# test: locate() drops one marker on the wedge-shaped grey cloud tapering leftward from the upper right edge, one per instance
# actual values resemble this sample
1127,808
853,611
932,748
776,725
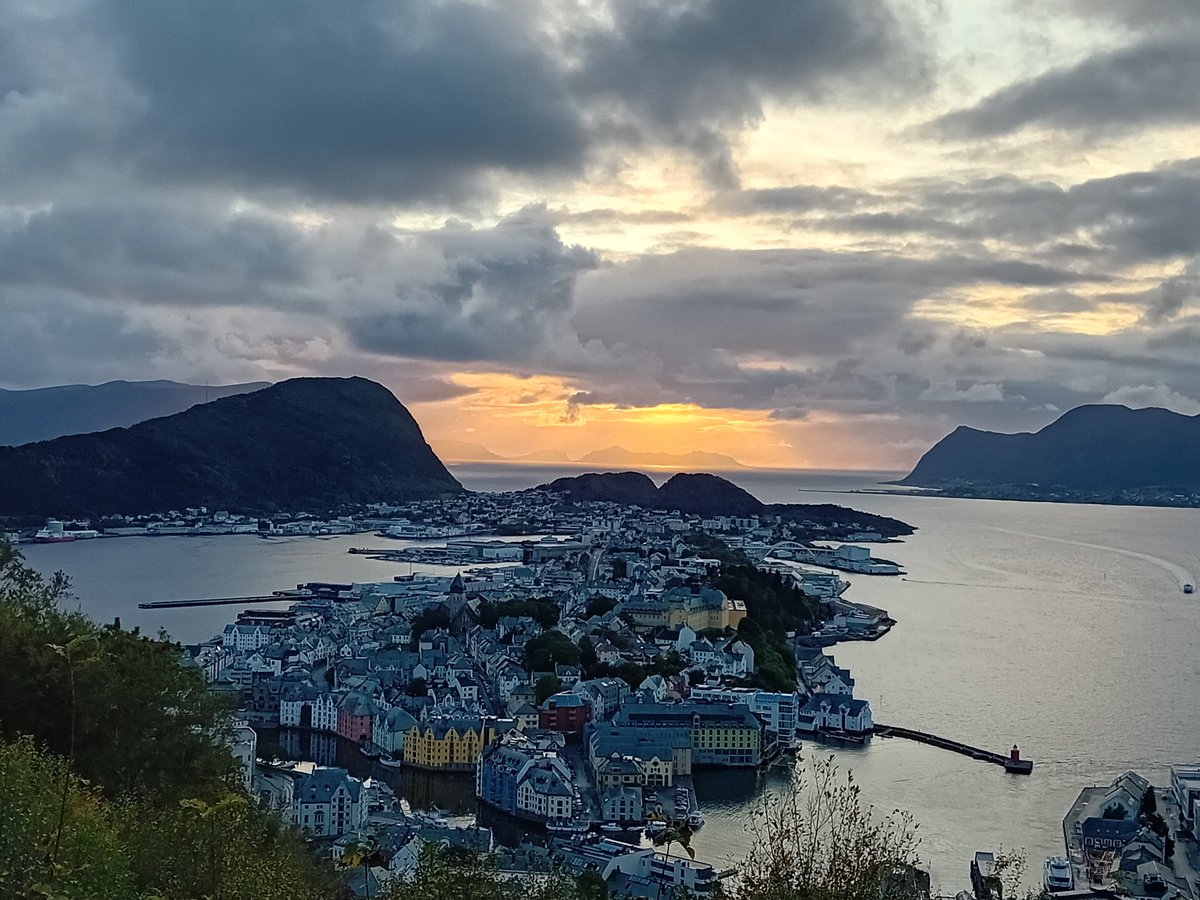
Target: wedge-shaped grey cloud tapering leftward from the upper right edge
1148,82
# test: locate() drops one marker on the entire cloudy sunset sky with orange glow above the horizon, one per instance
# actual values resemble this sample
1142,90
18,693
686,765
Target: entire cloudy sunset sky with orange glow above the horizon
803,233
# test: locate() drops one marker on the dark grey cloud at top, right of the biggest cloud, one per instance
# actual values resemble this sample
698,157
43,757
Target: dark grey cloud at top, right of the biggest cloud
686,73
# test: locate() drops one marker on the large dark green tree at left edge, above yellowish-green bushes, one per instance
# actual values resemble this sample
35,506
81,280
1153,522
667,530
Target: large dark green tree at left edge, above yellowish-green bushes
121,706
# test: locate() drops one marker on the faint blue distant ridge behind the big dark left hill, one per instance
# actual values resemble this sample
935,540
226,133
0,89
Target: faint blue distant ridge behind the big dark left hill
49,413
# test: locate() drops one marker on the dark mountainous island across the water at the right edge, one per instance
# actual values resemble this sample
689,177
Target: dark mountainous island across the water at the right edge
1093,454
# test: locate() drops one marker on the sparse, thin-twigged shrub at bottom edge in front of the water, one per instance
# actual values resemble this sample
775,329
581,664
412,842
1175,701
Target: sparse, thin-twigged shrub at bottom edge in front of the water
818,842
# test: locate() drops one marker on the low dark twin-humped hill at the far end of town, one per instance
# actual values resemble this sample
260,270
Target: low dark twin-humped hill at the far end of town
709,495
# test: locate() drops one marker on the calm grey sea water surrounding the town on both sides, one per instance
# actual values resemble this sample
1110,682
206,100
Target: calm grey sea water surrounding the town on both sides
1061,628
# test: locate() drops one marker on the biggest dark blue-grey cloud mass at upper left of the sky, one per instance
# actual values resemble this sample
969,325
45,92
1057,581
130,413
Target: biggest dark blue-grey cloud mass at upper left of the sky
359,101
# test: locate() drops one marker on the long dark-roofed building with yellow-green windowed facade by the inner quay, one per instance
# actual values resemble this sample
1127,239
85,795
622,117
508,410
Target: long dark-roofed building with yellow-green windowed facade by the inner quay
722,734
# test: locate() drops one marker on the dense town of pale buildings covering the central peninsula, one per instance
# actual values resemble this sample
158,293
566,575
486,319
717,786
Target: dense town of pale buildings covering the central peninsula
579,675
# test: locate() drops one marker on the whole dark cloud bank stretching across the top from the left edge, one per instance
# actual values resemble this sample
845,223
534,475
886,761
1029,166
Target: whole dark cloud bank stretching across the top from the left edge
412,103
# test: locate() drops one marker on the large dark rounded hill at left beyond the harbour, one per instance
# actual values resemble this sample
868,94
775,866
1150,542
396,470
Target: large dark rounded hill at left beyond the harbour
307,443
